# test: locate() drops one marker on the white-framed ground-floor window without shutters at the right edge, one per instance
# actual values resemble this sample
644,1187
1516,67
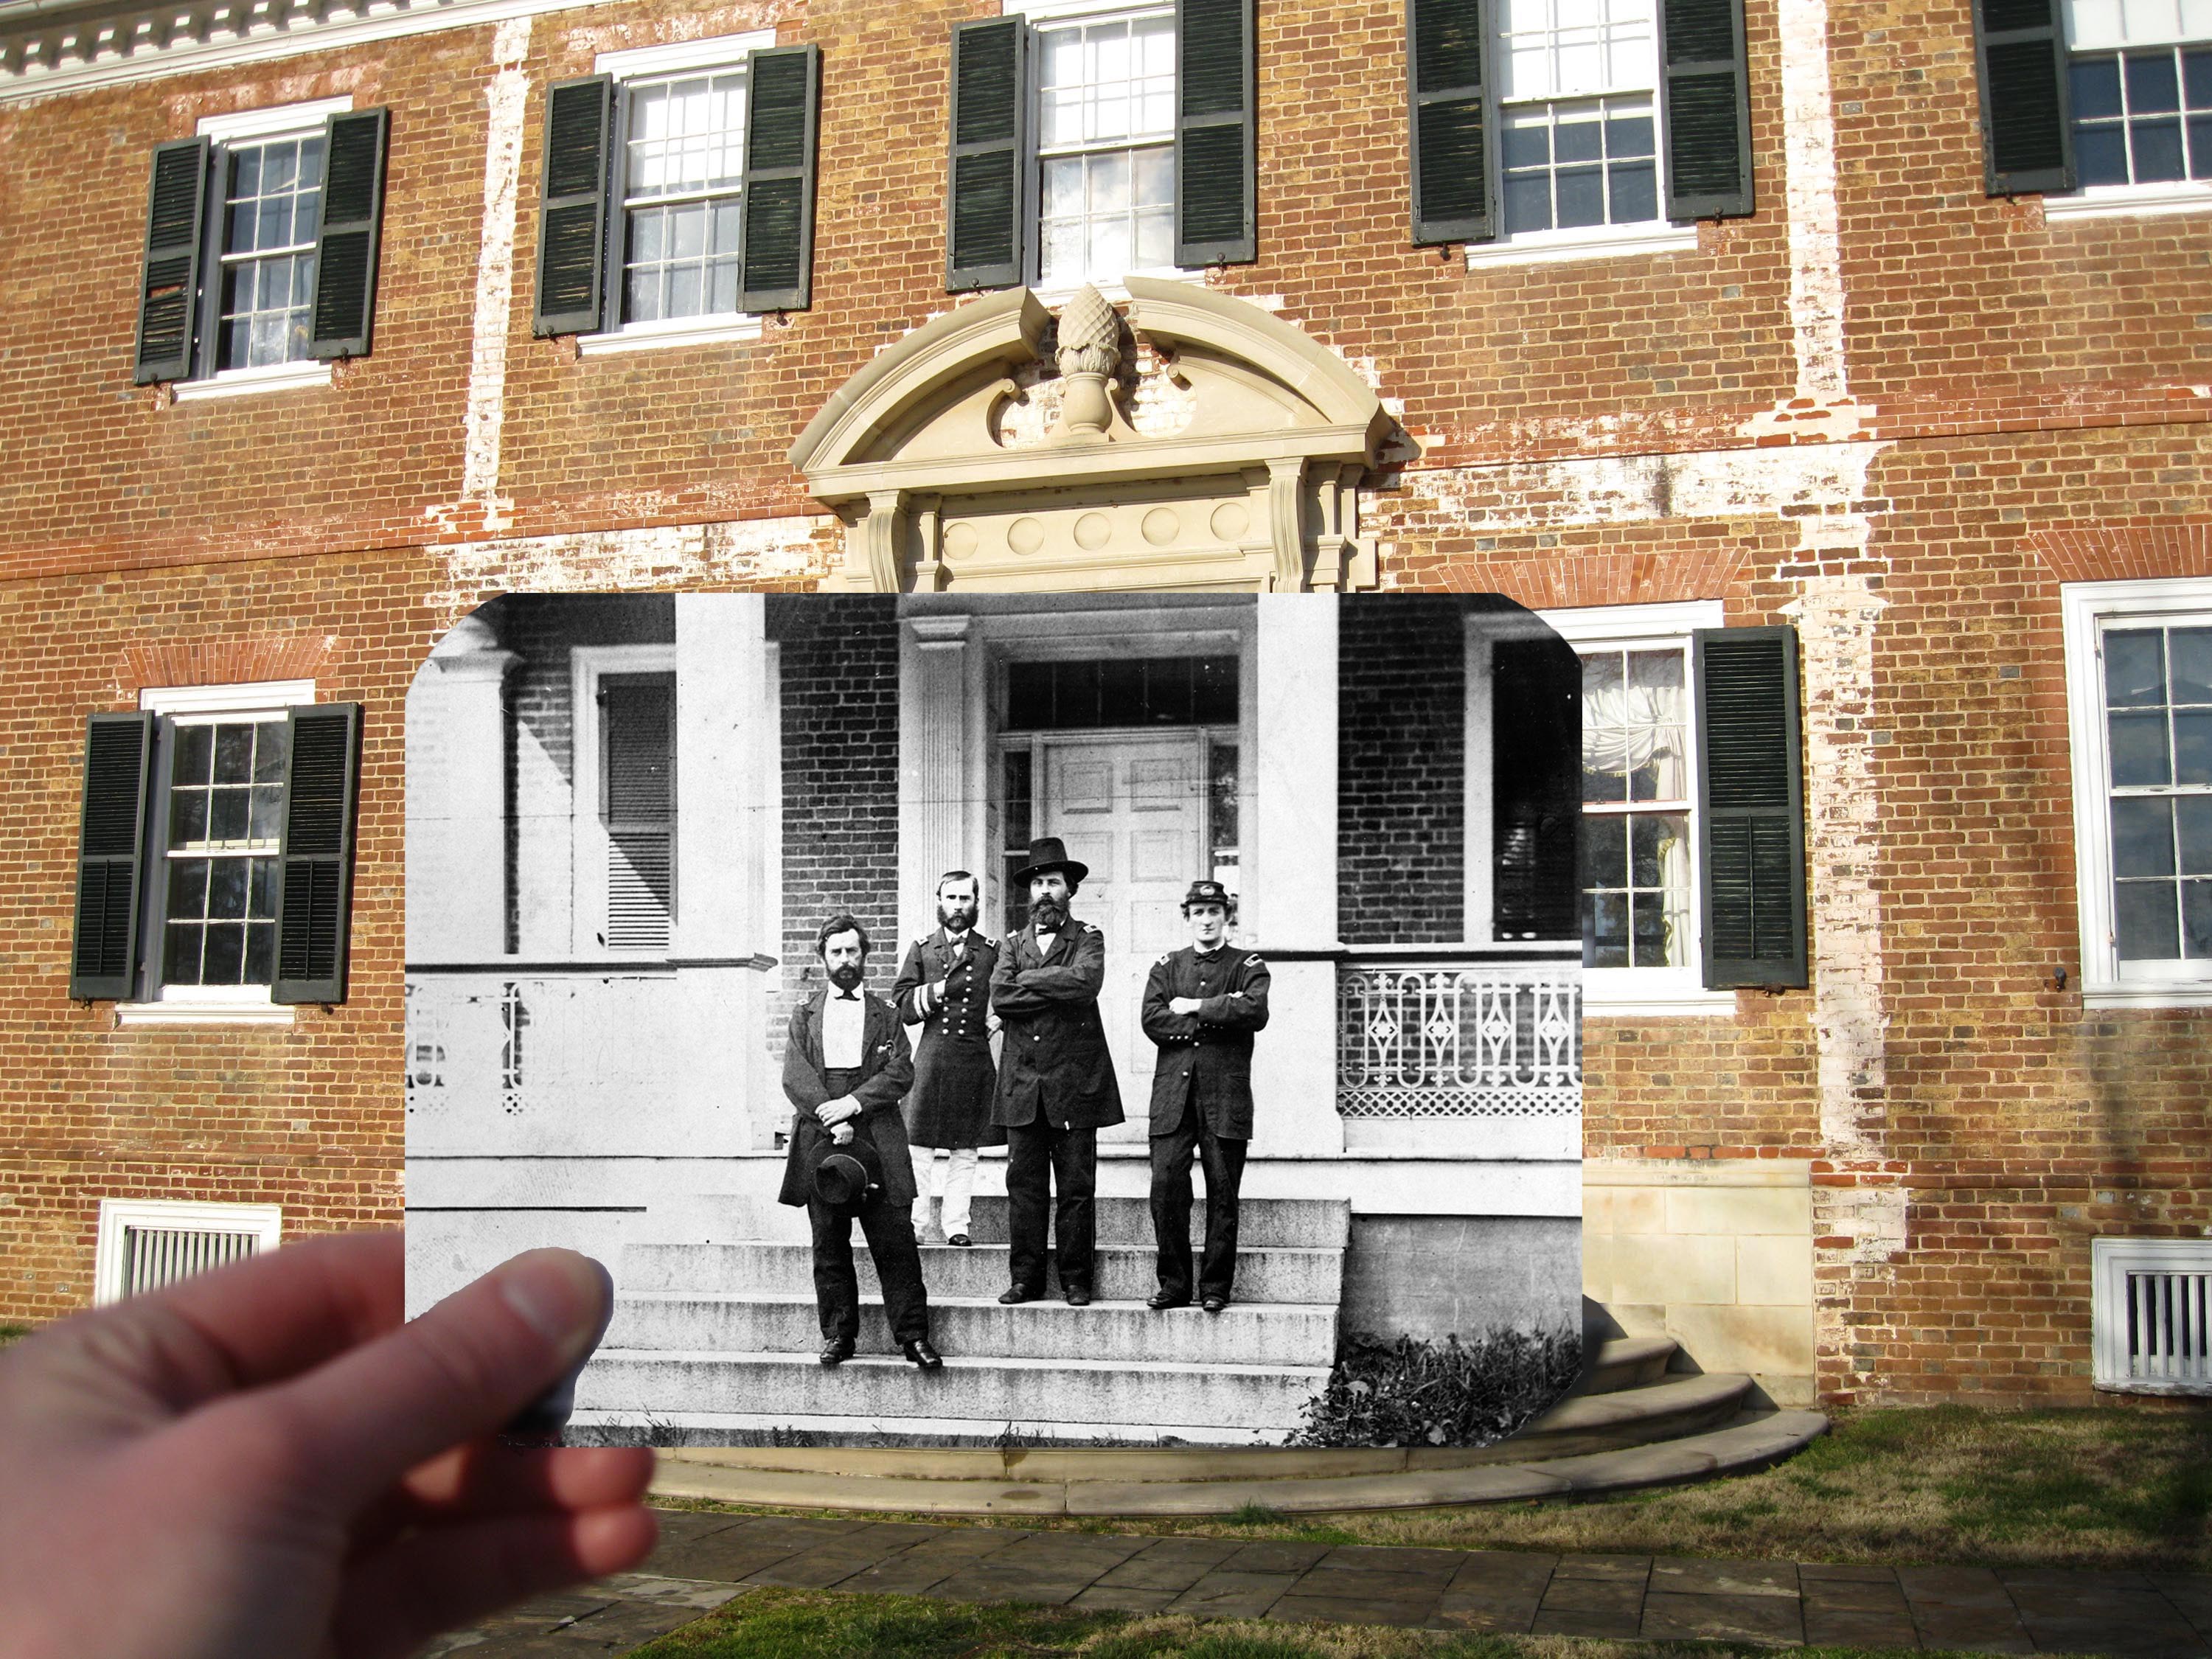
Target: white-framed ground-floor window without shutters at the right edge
2140,713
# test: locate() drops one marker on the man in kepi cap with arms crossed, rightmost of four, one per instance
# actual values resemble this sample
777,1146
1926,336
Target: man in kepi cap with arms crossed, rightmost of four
1202,1008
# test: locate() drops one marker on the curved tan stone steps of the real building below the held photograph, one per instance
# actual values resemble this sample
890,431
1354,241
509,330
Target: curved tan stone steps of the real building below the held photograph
1631,1426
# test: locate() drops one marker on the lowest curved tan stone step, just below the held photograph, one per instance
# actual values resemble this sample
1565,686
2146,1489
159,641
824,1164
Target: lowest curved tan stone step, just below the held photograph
1112,1483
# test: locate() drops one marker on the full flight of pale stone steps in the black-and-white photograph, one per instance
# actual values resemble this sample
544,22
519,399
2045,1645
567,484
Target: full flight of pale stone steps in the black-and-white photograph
718,1344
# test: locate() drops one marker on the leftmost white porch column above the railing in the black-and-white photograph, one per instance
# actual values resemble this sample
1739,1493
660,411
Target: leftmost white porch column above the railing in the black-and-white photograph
457,800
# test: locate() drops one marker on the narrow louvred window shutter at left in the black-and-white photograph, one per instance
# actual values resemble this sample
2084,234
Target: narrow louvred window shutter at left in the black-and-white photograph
638,808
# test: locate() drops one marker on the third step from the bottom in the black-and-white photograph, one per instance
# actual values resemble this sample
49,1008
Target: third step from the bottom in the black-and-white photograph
1125,1273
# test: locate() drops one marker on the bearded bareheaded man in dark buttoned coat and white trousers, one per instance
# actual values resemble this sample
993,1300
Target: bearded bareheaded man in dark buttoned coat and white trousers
946,990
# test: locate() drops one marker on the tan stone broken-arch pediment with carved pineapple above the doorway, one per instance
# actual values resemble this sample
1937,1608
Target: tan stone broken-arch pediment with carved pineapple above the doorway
1202,444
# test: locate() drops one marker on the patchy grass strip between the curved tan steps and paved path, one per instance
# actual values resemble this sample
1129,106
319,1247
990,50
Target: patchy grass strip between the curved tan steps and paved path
2103,1488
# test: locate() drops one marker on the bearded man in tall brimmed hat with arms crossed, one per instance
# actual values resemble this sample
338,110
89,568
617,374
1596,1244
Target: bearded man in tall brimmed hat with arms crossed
1056,1087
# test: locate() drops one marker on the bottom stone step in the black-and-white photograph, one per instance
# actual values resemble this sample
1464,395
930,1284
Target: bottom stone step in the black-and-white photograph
992,1395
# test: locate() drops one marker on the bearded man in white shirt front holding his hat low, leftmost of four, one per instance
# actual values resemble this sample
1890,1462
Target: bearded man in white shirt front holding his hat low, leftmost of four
846,1067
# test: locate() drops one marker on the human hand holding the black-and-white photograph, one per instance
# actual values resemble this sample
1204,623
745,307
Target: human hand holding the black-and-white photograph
264,1461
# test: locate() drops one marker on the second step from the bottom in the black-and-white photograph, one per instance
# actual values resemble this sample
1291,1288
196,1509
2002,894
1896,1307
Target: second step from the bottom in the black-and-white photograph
979,1326
